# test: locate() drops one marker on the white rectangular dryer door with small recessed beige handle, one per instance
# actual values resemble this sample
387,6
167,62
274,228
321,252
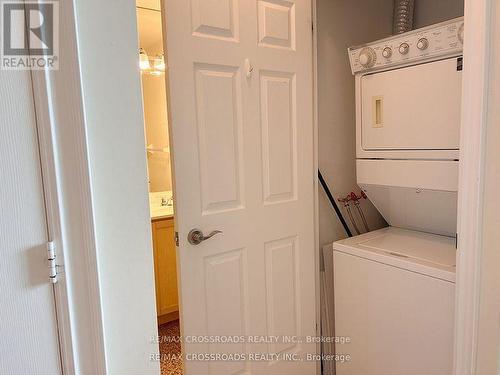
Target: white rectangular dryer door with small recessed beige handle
413,108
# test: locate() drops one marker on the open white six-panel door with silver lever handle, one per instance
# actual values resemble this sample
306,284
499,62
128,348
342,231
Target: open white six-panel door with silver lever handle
240,76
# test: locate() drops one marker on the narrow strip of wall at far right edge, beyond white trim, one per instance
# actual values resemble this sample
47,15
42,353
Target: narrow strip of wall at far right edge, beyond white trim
488,357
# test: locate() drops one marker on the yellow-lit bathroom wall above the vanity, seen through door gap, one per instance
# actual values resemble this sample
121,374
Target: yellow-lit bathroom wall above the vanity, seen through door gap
155,103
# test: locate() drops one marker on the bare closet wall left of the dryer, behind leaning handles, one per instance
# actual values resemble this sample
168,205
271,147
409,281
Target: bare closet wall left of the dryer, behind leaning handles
342,24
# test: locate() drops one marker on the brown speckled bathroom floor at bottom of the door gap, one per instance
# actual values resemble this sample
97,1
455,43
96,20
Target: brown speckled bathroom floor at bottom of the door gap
170,348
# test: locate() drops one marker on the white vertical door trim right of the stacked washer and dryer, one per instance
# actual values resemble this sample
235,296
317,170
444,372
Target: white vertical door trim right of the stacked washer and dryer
470,200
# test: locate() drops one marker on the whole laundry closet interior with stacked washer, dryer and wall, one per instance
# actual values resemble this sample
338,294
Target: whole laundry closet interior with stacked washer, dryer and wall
389,114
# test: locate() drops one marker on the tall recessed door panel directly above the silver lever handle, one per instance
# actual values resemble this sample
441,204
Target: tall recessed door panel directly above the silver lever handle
218,99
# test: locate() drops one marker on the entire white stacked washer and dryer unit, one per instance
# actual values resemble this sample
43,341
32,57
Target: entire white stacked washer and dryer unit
394,287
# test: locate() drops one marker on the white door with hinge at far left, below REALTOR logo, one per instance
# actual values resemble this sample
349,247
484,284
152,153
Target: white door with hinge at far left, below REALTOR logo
28,331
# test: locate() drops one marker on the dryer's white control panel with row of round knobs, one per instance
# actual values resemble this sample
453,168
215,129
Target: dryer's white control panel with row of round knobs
429,43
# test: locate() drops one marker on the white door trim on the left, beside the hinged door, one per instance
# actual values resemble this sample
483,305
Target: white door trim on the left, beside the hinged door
66,179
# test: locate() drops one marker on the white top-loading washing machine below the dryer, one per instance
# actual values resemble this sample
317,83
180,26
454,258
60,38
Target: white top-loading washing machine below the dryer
394,301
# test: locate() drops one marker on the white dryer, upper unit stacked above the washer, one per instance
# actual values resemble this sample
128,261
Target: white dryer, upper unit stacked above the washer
408,125
